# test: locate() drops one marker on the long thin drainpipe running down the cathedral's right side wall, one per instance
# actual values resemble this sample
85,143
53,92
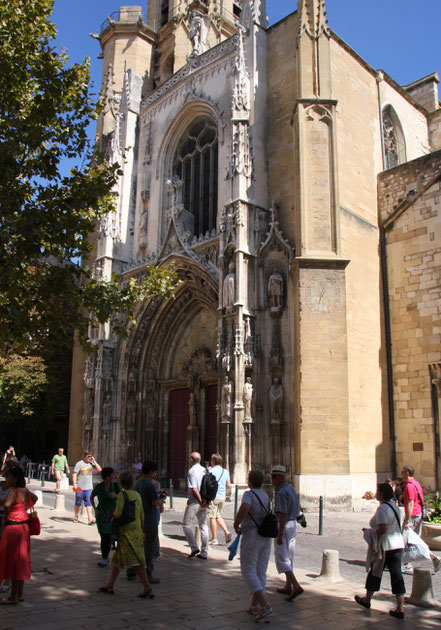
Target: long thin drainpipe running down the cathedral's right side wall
386,298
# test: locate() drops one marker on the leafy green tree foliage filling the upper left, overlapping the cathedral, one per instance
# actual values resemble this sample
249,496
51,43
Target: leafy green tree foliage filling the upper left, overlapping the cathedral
46,217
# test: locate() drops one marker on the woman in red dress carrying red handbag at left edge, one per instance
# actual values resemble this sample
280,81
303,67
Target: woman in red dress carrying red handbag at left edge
15,546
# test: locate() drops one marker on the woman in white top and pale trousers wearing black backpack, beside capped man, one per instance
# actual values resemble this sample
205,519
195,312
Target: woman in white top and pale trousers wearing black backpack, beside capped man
255,549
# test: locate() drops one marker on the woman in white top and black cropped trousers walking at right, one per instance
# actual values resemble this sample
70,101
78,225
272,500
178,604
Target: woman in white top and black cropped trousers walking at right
385,550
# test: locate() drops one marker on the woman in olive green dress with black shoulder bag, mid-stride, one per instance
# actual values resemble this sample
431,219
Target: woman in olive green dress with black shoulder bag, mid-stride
130,548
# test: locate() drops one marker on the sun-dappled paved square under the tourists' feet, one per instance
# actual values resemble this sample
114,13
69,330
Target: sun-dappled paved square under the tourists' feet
63,592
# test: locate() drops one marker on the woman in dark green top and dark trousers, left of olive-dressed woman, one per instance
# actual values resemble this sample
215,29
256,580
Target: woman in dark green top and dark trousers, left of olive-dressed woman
106,492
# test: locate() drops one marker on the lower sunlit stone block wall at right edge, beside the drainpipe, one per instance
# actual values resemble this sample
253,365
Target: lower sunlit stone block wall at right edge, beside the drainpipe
410,199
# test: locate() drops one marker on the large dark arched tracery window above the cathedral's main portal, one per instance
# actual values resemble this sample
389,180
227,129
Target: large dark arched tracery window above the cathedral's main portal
196,164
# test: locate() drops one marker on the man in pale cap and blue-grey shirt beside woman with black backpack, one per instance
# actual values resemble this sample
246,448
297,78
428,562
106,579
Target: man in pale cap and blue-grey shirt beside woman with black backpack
287,511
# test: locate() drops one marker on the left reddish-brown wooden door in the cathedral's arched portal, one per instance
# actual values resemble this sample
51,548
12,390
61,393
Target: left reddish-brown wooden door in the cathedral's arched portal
179,420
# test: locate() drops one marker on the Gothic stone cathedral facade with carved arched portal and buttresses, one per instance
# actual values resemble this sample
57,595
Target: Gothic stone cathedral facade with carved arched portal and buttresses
250,165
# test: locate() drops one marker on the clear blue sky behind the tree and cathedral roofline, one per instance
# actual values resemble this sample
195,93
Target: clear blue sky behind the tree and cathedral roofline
402,37
